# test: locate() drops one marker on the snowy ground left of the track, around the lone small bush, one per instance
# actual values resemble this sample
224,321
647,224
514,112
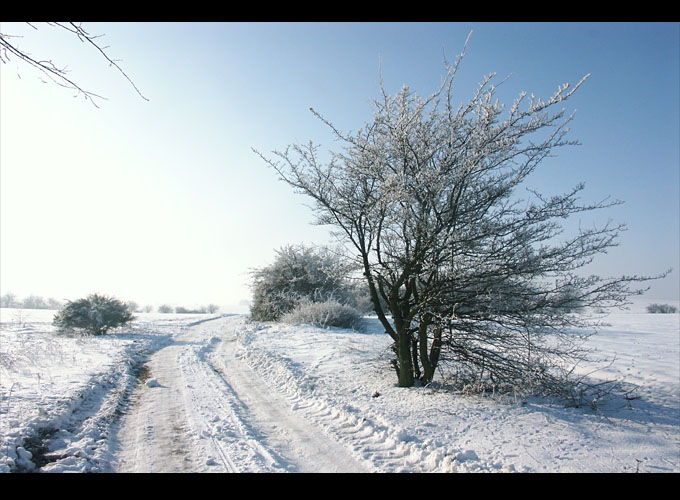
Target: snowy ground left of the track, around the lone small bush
71,389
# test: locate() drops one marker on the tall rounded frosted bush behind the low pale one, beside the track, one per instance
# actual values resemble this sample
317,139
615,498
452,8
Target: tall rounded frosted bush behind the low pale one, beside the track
300,274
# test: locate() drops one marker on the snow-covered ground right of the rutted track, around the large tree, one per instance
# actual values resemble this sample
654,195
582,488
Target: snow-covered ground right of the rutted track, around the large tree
340,381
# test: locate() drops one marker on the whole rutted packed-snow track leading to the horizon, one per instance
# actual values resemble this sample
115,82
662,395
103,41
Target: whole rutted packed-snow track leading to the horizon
200,408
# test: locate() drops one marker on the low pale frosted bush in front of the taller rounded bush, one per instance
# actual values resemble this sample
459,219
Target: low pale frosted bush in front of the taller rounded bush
323,314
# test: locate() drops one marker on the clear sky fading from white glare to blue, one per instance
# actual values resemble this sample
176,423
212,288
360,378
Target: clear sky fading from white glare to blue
164,201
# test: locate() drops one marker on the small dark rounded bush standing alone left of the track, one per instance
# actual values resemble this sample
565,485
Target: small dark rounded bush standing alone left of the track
96,314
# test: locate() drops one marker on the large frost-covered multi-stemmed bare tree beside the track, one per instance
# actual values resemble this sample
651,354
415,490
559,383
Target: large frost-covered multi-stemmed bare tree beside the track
462,267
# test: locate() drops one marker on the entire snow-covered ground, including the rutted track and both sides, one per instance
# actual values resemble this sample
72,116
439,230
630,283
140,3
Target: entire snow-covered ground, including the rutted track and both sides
199,393
